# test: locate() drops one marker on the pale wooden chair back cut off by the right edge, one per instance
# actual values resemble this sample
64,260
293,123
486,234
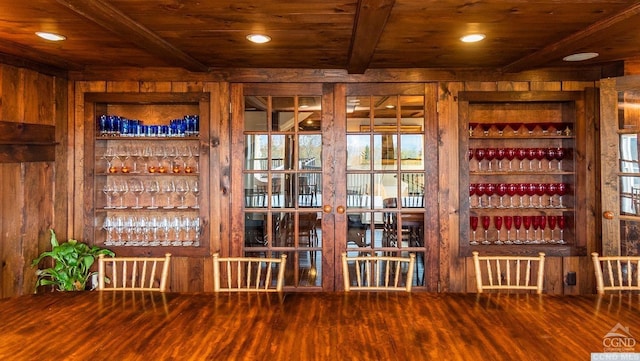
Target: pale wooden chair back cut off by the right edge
616,273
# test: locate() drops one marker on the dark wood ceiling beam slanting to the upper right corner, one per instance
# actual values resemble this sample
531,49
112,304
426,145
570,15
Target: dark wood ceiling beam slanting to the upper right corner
573,41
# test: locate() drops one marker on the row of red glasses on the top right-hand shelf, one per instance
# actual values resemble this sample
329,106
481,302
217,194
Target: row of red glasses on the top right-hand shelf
540,128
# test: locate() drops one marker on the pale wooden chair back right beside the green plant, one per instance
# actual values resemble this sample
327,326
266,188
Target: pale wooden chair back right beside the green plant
133,273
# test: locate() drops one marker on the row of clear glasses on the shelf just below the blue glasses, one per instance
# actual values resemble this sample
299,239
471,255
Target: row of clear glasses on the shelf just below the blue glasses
130,158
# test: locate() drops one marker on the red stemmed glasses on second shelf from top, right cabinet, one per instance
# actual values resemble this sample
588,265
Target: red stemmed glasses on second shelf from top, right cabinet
550,154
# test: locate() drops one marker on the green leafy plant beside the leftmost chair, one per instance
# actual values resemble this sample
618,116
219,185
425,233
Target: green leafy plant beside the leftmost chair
72,261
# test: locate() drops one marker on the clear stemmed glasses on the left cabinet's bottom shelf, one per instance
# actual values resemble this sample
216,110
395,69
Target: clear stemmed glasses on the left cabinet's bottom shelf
152,231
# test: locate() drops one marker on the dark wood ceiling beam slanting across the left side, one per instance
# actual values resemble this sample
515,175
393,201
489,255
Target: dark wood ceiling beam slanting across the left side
112,19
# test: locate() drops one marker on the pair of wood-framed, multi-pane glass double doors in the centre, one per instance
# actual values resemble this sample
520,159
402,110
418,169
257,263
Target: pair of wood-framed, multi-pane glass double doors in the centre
318,170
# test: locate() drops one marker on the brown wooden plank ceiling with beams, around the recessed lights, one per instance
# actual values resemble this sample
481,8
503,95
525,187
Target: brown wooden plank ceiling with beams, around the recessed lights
356,35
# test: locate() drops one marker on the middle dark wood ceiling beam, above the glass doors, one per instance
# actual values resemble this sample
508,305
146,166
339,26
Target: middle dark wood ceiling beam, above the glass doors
371,18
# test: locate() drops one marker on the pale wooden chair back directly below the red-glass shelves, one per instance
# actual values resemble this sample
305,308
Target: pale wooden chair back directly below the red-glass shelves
509,272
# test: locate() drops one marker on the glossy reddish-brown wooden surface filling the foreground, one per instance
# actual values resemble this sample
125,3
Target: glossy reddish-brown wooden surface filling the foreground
310,326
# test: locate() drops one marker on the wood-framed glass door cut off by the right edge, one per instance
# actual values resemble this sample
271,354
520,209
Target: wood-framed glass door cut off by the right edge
620,159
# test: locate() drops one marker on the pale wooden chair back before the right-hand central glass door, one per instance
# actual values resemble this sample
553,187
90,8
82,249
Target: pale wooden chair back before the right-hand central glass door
378,273
